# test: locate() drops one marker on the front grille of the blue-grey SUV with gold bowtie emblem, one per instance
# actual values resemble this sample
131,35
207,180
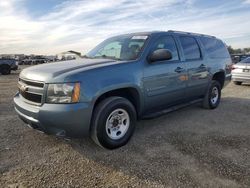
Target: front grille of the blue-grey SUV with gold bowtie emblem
31,91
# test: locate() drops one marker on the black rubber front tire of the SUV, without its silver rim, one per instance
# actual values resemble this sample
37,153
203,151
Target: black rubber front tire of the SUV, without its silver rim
102,135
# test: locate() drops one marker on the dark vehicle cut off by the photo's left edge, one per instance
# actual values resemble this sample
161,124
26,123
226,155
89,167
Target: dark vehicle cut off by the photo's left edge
6,65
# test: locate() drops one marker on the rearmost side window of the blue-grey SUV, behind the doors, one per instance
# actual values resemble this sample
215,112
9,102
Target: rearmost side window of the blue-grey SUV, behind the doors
214,47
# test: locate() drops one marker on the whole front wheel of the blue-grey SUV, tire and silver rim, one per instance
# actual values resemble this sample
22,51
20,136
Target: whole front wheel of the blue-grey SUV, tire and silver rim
103,131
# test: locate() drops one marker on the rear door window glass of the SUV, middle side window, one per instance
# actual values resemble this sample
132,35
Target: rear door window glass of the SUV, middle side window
190,48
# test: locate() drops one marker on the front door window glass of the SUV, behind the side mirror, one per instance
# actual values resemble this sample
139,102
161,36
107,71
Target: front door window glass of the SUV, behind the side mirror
167,42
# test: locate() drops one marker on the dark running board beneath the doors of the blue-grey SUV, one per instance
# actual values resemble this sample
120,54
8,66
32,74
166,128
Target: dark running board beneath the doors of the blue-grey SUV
171,109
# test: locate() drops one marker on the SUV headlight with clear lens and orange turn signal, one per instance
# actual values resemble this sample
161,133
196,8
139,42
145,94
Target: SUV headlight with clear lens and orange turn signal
63,93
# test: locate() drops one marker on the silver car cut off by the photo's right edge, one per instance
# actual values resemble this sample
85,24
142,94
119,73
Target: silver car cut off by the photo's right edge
241,72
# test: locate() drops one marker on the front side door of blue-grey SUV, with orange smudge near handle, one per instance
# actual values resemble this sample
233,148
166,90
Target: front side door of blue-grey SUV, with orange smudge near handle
164,81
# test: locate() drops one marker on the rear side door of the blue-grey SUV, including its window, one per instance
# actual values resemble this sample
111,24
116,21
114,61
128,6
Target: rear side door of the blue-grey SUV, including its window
196,65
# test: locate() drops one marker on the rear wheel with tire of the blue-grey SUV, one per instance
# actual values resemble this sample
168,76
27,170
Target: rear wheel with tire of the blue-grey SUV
213,96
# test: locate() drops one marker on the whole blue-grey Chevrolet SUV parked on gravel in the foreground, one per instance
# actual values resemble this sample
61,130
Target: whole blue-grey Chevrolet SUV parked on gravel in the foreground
125,78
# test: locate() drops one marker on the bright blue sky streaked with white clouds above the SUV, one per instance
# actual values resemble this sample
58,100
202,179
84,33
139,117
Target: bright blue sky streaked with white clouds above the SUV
54,26
